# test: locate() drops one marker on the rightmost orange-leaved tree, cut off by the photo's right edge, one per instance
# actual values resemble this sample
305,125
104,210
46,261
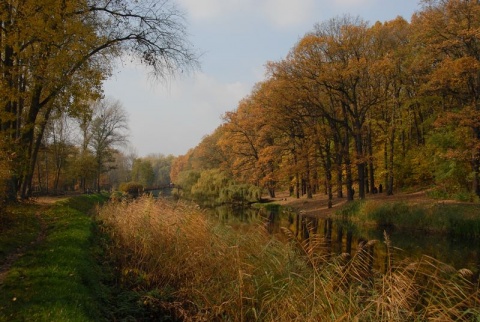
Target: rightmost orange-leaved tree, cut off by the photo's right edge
448,40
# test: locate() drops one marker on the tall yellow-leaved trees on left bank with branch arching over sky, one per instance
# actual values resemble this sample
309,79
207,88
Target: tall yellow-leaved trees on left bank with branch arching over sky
54,57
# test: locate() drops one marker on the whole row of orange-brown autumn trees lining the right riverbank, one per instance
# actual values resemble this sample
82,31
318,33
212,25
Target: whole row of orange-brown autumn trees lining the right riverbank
356,107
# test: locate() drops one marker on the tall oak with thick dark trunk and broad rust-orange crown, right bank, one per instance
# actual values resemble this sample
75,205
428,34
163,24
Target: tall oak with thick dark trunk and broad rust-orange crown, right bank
351,73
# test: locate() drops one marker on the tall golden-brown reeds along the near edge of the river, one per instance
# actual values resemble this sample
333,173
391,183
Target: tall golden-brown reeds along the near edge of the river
183,266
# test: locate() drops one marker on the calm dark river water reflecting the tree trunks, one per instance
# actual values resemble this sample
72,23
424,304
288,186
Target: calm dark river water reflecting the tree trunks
457,253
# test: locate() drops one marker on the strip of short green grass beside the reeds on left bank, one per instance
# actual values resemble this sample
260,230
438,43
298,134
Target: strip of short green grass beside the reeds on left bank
57,279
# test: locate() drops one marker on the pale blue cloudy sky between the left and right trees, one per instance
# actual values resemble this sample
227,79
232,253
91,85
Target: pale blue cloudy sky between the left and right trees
236,38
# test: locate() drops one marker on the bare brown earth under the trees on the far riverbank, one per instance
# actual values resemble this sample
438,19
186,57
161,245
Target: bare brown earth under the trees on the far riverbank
318,205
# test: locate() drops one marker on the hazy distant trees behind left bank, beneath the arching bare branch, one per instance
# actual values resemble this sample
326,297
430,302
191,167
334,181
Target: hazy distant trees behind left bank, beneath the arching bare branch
88,155
